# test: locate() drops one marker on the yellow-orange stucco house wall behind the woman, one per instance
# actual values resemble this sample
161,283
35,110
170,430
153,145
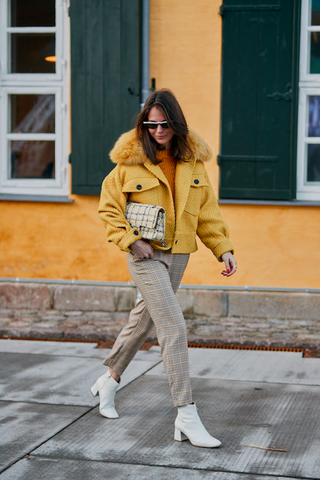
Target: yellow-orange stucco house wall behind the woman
275,245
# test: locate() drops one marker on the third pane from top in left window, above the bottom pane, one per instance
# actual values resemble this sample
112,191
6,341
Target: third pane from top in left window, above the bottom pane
32,113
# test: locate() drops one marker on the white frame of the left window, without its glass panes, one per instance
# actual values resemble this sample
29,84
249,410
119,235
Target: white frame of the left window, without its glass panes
57,84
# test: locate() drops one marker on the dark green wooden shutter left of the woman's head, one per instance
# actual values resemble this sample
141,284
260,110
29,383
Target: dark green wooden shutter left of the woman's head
105,84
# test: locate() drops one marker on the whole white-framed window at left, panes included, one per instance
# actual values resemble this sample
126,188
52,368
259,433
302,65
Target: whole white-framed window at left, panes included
34,123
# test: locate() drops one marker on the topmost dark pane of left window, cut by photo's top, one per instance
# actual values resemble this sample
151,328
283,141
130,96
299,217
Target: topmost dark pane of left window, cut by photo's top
33,13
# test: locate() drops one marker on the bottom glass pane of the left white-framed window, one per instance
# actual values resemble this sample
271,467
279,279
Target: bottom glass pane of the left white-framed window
32,159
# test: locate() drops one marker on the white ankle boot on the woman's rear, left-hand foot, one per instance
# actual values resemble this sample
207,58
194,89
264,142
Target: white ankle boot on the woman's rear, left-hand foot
106,387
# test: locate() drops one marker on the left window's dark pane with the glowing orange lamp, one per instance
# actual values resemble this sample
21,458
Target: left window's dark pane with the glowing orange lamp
29,53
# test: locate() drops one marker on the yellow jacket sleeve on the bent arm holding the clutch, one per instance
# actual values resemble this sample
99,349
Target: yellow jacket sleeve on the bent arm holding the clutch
112,209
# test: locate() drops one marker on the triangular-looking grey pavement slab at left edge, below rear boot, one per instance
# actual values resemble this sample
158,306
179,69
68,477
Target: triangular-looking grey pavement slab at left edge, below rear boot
24,427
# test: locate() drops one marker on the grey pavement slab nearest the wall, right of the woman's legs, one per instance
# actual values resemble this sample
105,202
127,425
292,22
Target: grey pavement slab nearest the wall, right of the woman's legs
251,365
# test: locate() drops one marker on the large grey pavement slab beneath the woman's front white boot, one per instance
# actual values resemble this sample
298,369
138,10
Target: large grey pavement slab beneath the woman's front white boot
238,413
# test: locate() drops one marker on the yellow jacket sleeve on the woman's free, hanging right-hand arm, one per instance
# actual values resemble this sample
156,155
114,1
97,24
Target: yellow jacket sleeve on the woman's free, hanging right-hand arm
212,229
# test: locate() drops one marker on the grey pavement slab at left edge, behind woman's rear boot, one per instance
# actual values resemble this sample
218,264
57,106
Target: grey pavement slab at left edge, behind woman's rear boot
58,379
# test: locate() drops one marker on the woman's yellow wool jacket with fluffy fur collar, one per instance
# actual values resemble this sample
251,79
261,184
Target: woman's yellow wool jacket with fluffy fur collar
195,210
